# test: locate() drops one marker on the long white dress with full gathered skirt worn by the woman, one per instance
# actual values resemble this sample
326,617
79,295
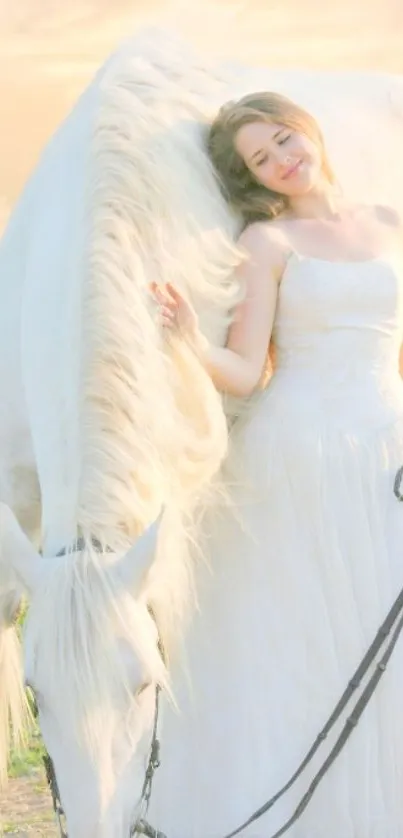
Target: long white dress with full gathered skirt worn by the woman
293,598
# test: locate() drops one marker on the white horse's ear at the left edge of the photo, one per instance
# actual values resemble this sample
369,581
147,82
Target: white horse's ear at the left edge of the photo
16,551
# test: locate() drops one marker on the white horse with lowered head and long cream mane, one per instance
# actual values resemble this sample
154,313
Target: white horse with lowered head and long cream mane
102,423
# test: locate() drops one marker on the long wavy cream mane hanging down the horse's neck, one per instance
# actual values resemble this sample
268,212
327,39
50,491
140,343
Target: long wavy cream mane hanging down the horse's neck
152,424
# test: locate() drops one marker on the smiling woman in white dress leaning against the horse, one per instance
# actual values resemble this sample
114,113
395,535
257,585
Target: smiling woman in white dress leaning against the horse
315,558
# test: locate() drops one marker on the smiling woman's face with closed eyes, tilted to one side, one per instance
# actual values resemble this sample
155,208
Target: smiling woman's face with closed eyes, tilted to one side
280,158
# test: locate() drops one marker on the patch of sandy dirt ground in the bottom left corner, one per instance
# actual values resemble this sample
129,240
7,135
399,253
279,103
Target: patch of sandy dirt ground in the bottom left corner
26,808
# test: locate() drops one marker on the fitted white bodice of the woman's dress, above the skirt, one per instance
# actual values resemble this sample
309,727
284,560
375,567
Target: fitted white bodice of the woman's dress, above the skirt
338,331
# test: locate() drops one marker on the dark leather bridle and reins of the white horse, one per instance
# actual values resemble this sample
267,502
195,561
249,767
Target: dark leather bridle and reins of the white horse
393,624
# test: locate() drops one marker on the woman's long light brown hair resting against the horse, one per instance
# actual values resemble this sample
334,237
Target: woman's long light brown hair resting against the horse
241,189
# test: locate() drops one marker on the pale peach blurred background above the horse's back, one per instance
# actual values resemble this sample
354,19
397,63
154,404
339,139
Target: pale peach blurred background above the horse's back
49,50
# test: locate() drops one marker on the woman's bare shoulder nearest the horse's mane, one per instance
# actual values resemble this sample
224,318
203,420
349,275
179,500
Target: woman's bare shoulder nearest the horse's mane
264,241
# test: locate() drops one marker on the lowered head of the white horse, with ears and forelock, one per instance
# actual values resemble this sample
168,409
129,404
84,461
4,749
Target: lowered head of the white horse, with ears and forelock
93,663
